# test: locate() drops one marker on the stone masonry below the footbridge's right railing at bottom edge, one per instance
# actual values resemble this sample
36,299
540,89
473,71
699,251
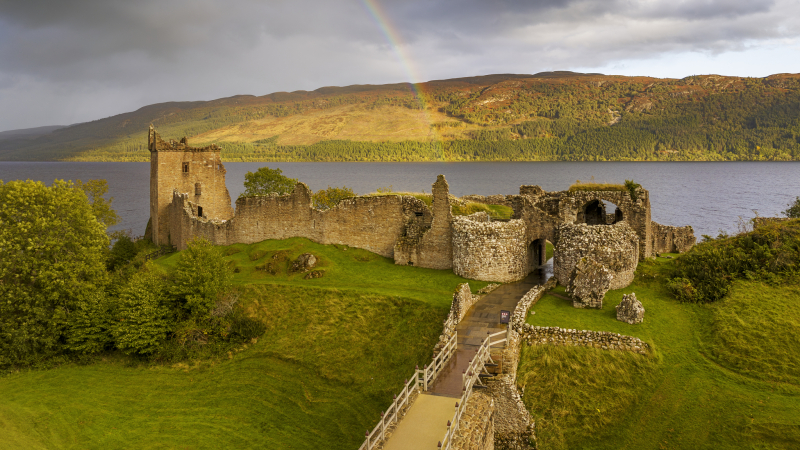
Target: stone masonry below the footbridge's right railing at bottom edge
476,428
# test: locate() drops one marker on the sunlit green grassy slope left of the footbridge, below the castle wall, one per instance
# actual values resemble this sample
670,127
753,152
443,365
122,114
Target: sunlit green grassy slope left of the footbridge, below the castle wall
335,351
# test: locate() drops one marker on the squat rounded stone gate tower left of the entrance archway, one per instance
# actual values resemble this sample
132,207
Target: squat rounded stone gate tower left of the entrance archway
489,251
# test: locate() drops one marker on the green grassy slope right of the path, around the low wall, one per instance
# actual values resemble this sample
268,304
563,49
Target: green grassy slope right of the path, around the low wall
678,398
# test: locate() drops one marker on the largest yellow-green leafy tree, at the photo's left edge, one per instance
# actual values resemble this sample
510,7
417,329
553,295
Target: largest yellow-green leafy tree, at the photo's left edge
52,251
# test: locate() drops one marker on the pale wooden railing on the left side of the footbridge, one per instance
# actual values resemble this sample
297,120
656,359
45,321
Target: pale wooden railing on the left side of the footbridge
421,380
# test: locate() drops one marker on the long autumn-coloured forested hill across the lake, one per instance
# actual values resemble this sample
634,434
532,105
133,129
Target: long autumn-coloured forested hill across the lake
548,116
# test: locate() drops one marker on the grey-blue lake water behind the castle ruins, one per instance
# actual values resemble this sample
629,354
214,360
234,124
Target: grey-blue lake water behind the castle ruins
709,196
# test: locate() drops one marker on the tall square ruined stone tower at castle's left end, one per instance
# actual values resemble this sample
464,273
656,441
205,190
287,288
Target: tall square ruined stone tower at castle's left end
175,166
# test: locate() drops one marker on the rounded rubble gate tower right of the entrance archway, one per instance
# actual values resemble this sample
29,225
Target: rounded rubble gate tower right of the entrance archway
614,246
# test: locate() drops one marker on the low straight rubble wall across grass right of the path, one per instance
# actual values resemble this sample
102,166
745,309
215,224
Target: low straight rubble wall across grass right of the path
605,340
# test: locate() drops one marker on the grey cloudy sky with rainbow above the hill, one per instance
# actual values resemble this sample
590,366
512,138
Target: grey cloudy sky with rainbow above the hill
69,61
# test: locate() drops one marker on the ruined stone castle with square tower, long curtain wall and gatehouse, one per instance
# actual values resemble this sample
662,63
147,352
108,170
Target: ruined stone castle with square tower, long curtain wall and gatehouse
188,199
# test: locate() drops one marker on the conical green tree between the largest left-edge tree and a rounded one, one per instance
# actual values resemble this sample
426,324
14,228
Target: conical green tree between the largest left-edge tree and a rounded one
141,320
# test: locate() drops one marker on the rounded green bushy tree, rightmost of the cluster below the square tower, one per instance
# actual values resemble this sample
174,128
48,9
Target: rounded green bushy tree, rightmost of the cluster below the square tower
201,277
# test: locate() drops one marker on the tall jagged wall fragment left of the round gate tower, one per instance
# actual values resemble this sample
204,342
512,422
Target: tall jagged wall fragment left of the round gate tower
430,243
